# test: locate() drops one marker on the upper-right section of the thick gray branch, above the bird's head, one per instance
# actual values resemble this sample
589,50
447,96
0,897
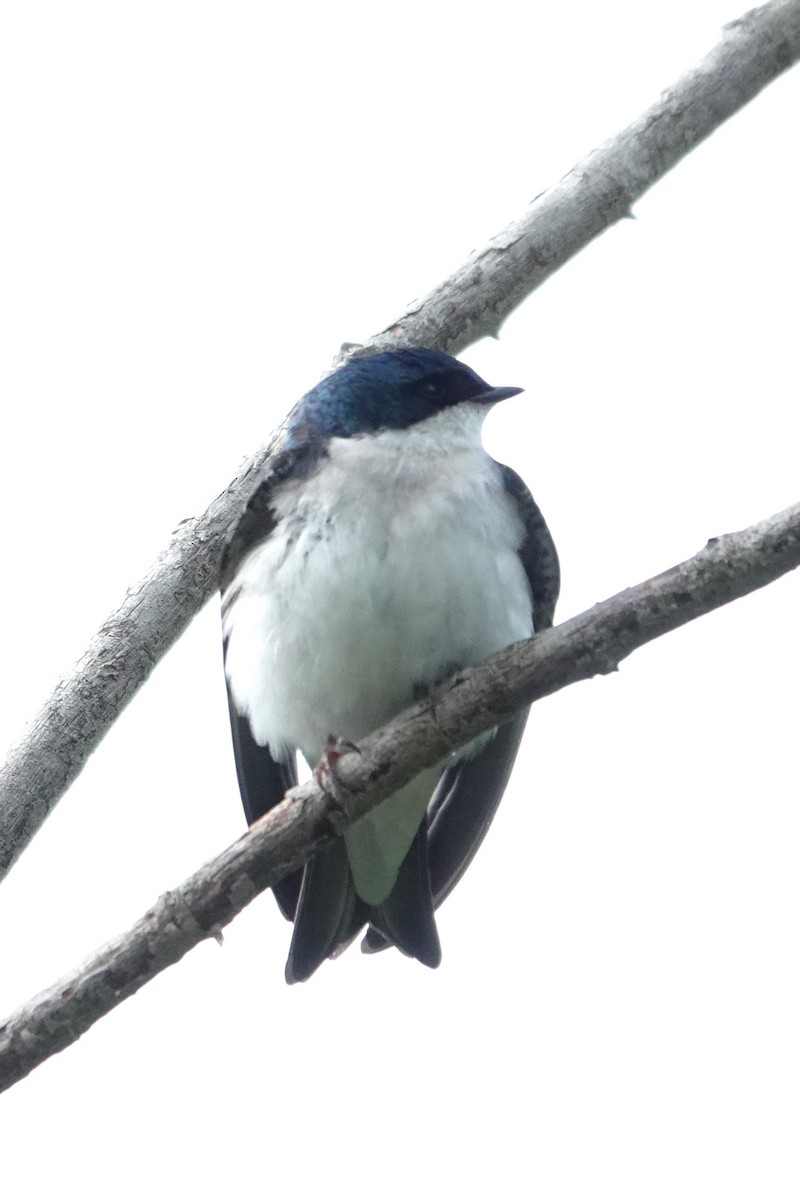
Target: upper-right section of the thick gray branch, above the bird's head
603,188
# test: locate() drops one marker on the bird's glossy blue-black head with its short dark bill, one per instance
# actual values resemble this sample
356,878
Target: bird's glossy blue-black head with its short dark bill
390,391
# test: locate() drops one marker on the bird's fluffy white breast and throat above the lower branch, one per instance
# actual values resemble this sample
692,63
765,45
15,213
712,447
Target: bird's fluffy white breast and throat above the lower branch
393,566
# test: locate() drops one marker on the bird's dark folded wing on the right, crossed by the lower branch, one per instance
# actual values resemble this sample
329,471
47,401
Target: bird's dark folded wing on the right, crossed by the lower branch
468,795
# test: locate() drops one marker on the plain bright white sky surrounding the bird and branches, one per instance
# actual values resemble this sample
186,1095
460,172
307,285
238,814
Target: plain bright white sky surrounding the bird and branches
201,202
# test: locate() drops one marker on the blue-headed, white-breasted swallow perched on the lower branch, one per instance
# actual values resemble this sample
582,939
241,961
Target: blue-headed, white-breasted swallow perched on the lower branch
383,551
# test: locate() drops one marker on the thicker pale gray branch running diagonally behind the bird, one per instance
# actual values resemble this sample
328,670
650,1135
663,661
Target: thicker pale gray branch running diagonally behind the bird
473,303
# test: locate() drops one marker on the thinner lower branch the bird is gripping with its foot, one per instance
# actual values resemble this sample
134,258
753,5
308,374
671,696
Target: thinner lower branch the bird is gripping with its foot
473,701
